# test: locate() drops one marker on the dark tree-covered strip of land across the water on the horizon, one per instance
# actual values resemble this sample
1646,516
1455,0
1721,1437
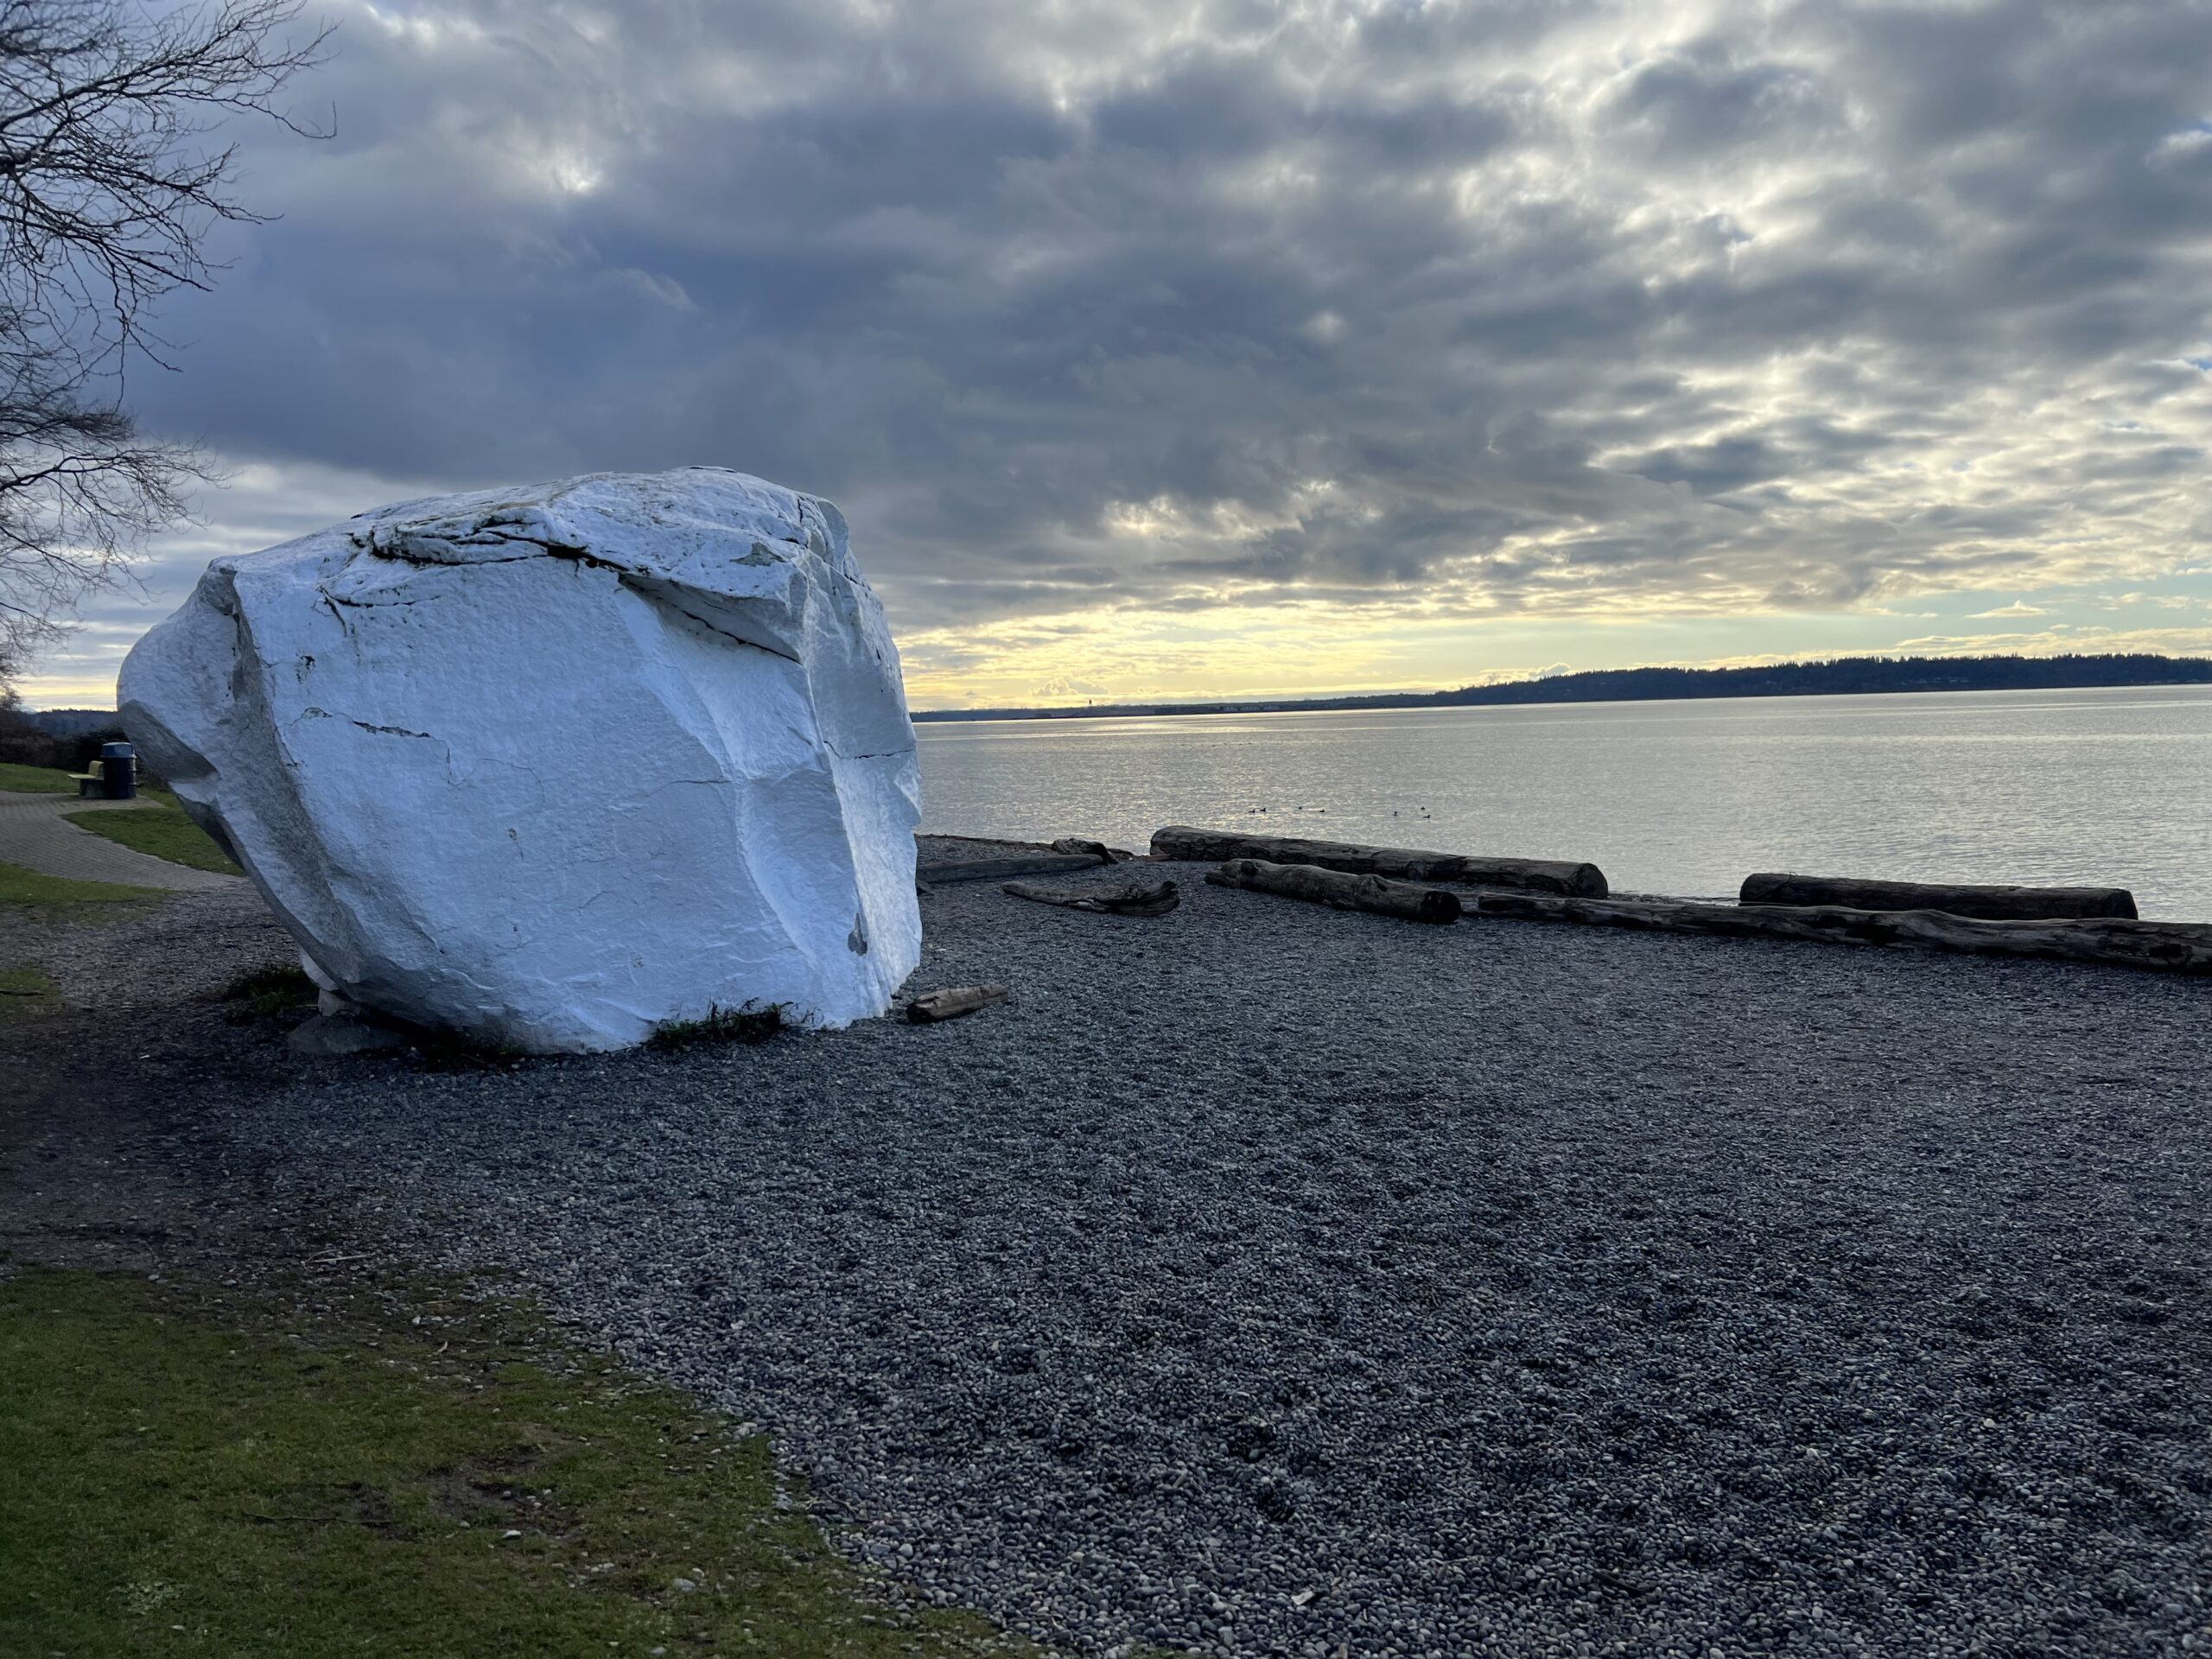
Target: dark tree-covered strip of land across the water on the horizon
1837,678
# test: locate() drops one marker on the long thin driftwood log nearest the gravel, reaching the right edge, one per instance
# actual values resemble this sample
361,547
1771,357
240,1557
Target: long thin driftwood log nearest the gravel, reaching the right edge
2173,948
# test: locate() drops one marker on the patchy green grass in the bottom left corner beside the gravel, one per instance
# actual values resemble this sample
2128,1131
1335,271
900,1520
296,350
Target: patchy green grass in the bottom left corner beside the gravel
388,1472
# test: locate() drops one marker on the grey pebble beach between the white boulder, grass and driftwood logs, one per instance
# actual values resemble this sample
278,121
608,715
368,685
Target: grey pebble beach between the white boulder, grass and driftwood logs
1269,1280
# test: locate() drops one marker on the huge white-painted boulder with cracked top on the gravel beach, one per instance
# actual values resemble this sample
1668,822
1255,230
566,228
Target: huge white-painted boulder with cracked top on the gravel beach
559,764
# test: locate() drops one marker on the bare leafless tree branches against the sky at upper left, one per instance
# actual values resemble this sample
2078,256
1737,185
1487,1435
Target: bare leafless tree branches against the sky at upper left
109,185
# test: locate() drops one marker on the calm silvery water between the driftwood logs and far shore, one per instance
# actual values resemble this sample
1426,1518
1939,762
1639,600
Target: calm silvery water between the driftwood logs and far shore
2085,786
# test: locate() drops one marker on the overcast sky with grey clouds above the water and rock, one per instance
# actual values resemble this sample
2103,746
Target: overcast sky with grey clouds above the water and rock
1266,348
